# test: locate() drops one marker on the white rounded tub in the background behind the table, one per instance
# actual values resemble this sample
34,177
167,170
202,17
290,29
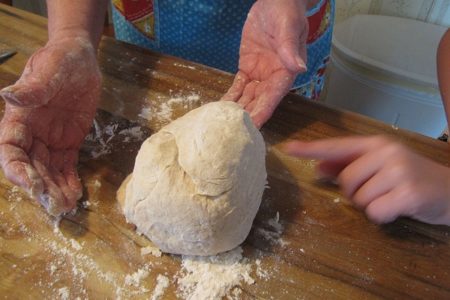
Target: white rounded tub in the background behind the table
385,67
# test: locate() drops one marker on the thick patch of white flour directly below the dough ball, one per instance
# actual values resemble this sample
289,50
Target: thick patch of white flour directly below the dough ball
213,277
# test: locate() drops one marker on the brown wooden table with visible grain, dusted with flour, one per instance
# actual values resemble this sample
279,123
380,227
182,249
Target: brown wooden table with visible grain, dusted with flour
329,250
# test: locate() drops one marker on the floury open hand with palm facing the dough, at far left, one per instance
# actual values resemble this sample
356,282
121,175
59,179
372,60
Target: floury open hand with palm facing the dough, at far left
48,113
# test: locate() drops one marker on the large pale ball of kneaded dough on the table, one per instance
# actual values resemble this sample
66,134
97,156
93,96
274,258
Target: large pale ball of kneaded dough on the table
197,184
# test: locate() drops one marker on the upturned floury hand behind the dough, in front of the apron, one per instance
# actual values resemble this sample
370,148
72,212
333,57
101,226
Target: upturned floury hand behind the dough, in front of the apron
272,53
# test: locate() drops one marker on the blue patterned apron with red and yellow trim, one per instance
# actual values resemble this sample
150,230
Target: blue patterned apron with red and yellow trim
209,32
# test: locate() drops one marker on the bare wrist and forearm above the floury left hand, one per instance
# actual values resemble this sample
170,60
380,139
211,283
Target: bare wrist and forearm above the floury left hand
76,18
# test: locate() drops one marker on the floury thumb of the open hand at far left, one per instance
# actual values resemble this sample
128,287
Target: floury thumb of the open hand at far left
26,94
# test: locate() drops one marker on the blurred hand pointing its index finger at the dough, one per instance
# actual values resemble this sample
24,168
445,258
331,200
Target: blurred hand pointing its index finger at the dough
383,177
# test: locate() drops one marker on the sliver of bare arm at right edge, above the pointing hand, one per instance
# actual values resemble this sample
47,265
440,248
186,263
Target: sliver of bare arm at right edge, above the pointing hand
443,68
